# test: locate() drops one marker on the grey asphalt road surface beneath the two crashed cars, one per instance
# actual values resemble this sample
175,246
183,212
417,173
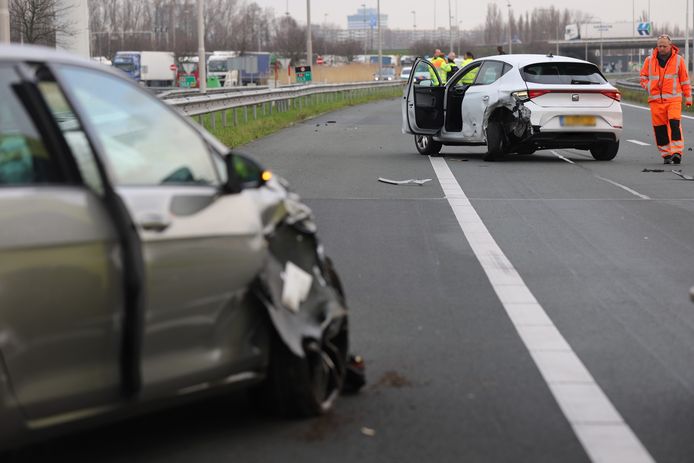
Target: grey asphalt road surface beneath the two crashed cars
606,249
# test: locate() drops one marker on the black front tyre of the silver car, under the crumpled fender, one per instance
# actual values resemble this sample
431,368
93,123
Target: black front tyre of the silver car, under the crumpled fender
306,387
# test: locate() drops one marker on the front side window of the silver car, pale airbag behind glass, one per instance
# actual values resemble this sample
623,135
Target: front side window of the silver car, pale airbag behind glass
144,142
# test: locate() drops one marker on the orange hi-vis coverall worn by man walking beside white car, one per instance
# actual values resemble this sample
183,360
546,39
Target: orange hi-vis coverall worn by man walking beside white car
665,86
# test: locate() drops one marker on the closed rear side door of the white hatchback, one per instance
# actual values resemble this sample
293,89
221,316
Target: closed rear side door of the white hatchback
478,97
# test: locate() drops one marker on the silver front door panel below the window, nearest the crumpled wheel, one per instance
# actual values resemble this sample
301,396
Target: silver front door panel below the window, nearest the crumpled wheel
198,266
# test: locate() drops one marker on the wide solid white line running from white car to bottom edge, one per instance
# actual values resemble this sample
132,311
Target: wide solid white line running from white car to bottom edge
597,424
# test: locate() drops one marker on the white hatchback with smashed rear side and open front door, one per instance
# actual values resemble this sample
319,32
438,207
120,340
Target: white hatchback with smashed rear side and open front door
515,104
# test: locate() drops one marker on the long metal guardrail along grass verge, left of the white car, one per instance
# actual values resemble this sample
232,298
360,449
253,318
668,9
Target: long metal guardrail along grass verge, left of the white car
221,102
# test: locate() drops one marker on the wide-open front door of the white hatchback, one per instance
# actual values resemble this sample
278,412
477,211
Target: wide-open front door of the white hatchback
422,105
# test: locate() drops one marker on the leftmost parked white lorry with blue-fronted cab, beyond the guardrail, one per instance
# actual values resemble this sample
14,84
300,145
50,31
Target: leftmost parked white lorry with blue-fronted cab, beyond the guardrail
151,68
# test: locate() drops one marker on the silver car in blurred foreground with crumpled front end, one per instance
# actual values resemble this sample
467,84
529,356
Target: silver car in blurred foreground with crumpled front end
140,261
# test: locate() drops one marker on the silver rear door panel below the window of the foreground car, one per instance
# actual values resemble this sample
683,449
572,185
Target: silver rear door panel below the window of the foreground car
62,299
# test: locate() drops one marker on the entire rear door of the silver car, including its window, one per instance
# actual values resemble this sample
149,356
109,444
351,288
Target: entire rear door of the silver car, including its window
61,278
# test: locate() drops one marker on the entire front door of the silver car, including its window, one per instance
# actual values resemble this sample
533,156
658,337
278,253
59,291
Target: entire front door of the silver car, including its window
201,248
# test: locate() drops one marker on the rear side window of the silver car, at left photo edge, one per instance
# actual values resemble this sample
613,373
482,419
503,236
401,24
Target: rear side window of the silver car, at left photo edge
24,159
